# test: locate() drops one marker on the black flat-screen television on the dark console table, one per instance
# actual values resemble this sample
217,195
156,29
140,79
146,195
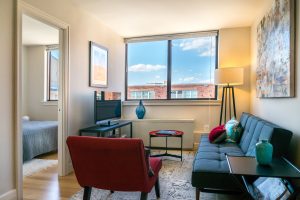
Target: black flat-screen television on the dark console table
106,111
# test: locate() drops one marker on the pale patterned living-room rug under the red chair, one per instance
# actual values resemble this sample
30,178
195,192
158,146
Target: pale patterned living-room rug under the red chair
175,184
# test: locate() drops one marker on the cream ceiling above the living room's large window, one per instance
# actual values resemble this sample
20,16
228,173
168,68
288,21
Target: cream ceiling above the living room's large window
131,18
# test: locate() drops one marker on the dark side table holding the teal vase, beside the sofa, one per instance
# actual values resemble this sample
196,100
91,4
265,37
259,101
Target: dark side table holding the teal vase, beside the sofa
244,168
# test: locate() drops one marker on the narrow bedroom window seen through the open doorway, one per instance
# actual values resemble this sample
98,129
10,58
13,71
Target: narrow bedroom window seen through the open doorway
52,74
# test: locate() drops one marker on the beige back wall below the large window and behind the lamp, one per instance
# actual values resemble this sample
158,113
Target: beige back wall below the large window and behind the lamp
234,51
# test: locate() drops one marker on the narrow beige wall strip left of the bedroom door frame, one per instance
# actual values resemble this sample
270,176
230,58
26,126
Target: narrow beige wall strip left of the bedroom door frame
7,155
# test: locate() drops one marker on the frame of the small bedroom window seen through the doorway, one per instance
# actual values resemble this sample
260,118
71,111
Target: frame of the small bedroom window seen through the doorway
48,77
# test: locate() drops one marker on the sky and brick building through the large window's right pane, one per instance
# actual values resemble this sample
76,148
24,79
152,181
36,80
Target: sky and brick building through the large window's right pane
193,65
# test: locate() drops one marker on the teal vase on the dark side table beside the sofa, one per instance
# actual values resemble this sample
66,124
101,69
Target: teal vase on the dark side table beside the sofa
264,152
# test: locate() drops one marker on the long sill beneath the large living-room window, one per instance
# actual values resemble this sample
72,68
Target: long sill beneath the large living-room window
174,103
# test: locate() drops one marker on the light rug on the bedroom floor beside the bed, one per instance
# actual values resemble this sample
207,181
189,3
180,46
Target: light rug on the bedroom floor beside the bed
35,165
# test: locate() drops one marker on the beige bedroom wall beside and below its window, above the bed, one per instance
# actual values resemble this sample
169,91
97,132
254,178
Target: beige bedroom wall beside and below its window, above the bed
33,85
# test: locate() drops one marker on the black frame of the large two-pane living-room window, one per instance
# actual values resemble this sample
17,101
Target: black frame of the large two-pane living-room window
169,39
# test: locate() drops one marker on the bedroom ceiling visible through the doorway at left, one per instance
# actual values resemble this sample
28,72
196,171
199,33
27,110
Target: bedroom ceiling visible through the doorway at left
35,32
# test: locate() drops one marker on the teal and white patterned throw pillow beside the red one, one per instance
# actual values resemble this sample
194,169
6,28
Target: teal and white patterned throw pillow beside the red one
234,130
